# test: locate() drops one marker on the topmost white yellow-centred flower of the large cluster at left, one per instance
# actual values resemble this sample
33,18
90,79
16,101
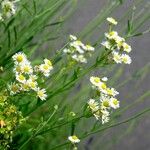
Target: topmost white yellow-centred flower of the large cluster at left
19,58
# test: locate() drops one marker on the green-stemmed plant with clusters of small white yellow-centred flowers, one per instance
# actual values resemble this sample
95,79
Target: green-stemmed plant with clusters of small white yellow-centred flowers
54,96
